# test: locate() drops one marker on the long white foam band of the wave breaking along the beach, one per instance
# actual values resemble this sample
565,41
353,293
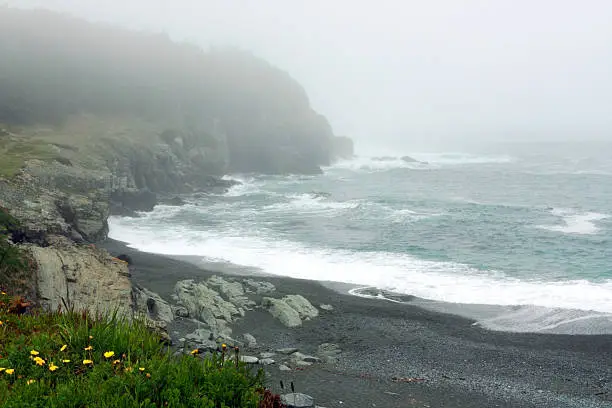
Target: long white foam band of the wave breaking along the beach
443,281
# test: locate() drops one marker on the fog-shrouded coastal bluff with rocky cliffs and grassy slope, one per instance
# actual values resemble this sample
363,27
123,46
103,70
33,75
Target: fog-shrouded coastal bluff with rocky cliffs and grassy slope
168,119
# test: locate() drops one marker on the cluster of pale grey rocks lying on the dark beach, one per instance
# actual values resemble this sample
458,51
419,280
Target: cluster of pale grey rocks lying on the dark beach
216,303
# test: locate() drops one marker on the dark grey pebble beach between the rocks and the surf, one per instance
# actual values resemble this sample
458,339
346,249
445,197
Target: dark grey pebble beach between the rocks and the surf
462,365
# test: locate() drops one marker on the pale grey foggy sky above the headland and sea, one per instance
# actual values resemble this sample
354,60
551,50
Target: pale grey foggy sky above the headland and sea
412,70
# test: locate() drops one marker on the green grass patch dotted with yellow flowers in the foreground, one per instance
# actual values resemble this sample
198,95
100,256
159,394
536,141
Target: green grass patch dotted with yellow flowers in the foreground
58,360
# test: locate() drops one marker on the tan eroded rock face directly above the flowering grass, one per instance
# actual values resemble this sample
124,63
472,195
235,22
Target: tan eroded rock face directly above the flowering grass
82,277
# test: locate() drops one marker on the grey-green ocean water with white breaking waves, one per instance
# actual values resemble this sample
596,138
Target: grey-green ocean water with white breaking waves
513,224
